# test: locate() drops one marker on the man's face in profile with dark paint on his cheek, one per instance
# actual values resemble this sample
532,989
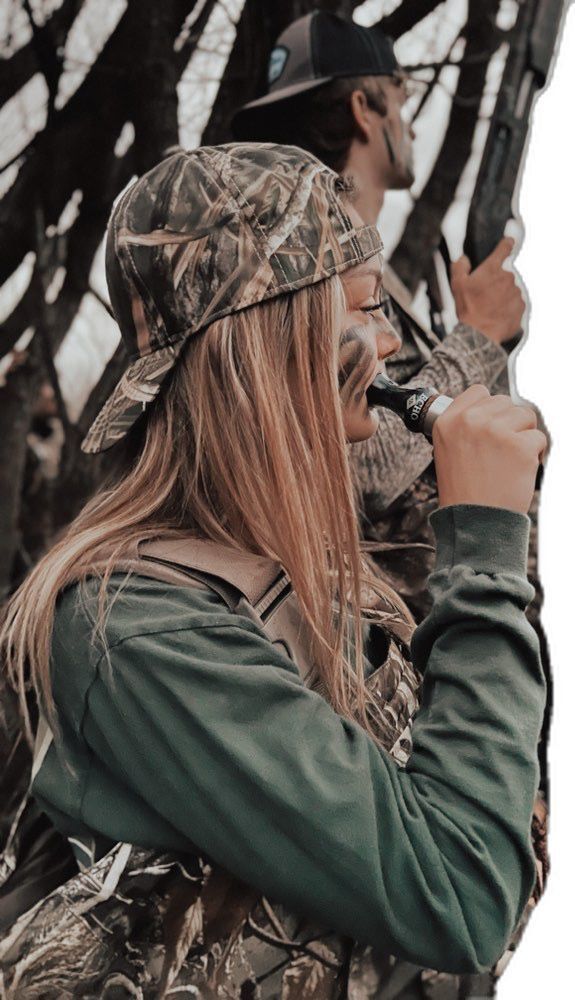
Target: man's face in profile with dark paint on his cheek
392,138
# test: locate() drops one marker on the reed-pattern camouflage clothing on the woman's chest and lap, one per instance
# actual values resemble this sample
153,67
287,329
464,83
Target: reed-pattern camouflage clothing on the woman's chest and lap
139,923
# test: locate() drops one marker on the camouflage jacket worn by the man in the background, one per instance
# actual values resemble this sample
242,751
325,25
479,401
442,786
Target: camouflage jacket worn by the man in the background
394,469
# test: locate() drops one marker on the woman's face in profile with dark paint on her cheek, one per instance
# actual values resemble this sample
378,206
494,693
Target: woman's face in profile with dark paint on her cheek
368,338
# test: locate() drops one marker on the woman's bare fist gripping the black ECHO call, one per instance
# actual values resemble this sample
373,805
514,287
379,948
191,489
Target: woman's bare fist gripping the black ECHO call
487,451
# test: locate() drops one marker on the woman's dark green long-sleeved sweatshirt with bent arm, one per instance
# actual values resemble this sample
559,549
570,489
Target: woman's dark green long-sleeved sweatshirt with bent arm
196,732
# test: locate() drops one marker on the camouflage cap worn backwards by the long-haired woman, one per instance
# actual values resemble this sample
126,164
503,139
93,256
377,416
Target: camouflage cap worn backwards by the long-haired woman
205,234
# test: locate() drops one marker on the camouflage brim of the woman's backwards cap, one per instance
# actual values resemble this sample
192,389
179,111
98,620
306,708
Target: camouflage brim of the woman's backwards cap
138,387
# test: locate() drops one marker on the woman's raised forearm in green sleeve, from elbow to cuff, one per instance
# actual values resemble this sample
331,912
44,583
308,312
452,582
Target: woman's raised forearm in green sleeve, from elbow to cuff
474,764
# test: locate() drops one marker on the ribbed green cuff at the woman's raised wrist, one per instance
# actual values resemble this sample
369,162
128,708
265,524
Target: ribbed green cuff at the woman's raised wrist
488,539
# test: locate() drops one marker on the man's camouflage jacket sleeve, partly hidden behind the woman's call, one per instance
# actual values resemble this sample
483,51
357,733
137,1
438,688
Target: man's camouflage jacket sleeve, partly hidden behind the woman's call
394,457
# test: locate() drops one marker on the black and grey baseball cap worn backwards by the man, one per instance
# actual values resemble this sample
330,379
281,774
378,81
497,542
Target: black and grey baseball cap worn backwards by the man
318,48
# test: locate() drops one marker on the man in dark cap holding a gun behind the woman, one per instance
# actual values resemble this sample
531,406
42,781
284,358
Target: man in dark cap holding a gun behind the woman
336,89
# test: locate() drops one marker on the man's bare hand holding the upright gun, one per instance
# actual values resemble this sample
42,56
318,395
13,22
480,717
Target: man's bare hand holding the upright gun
488,298
